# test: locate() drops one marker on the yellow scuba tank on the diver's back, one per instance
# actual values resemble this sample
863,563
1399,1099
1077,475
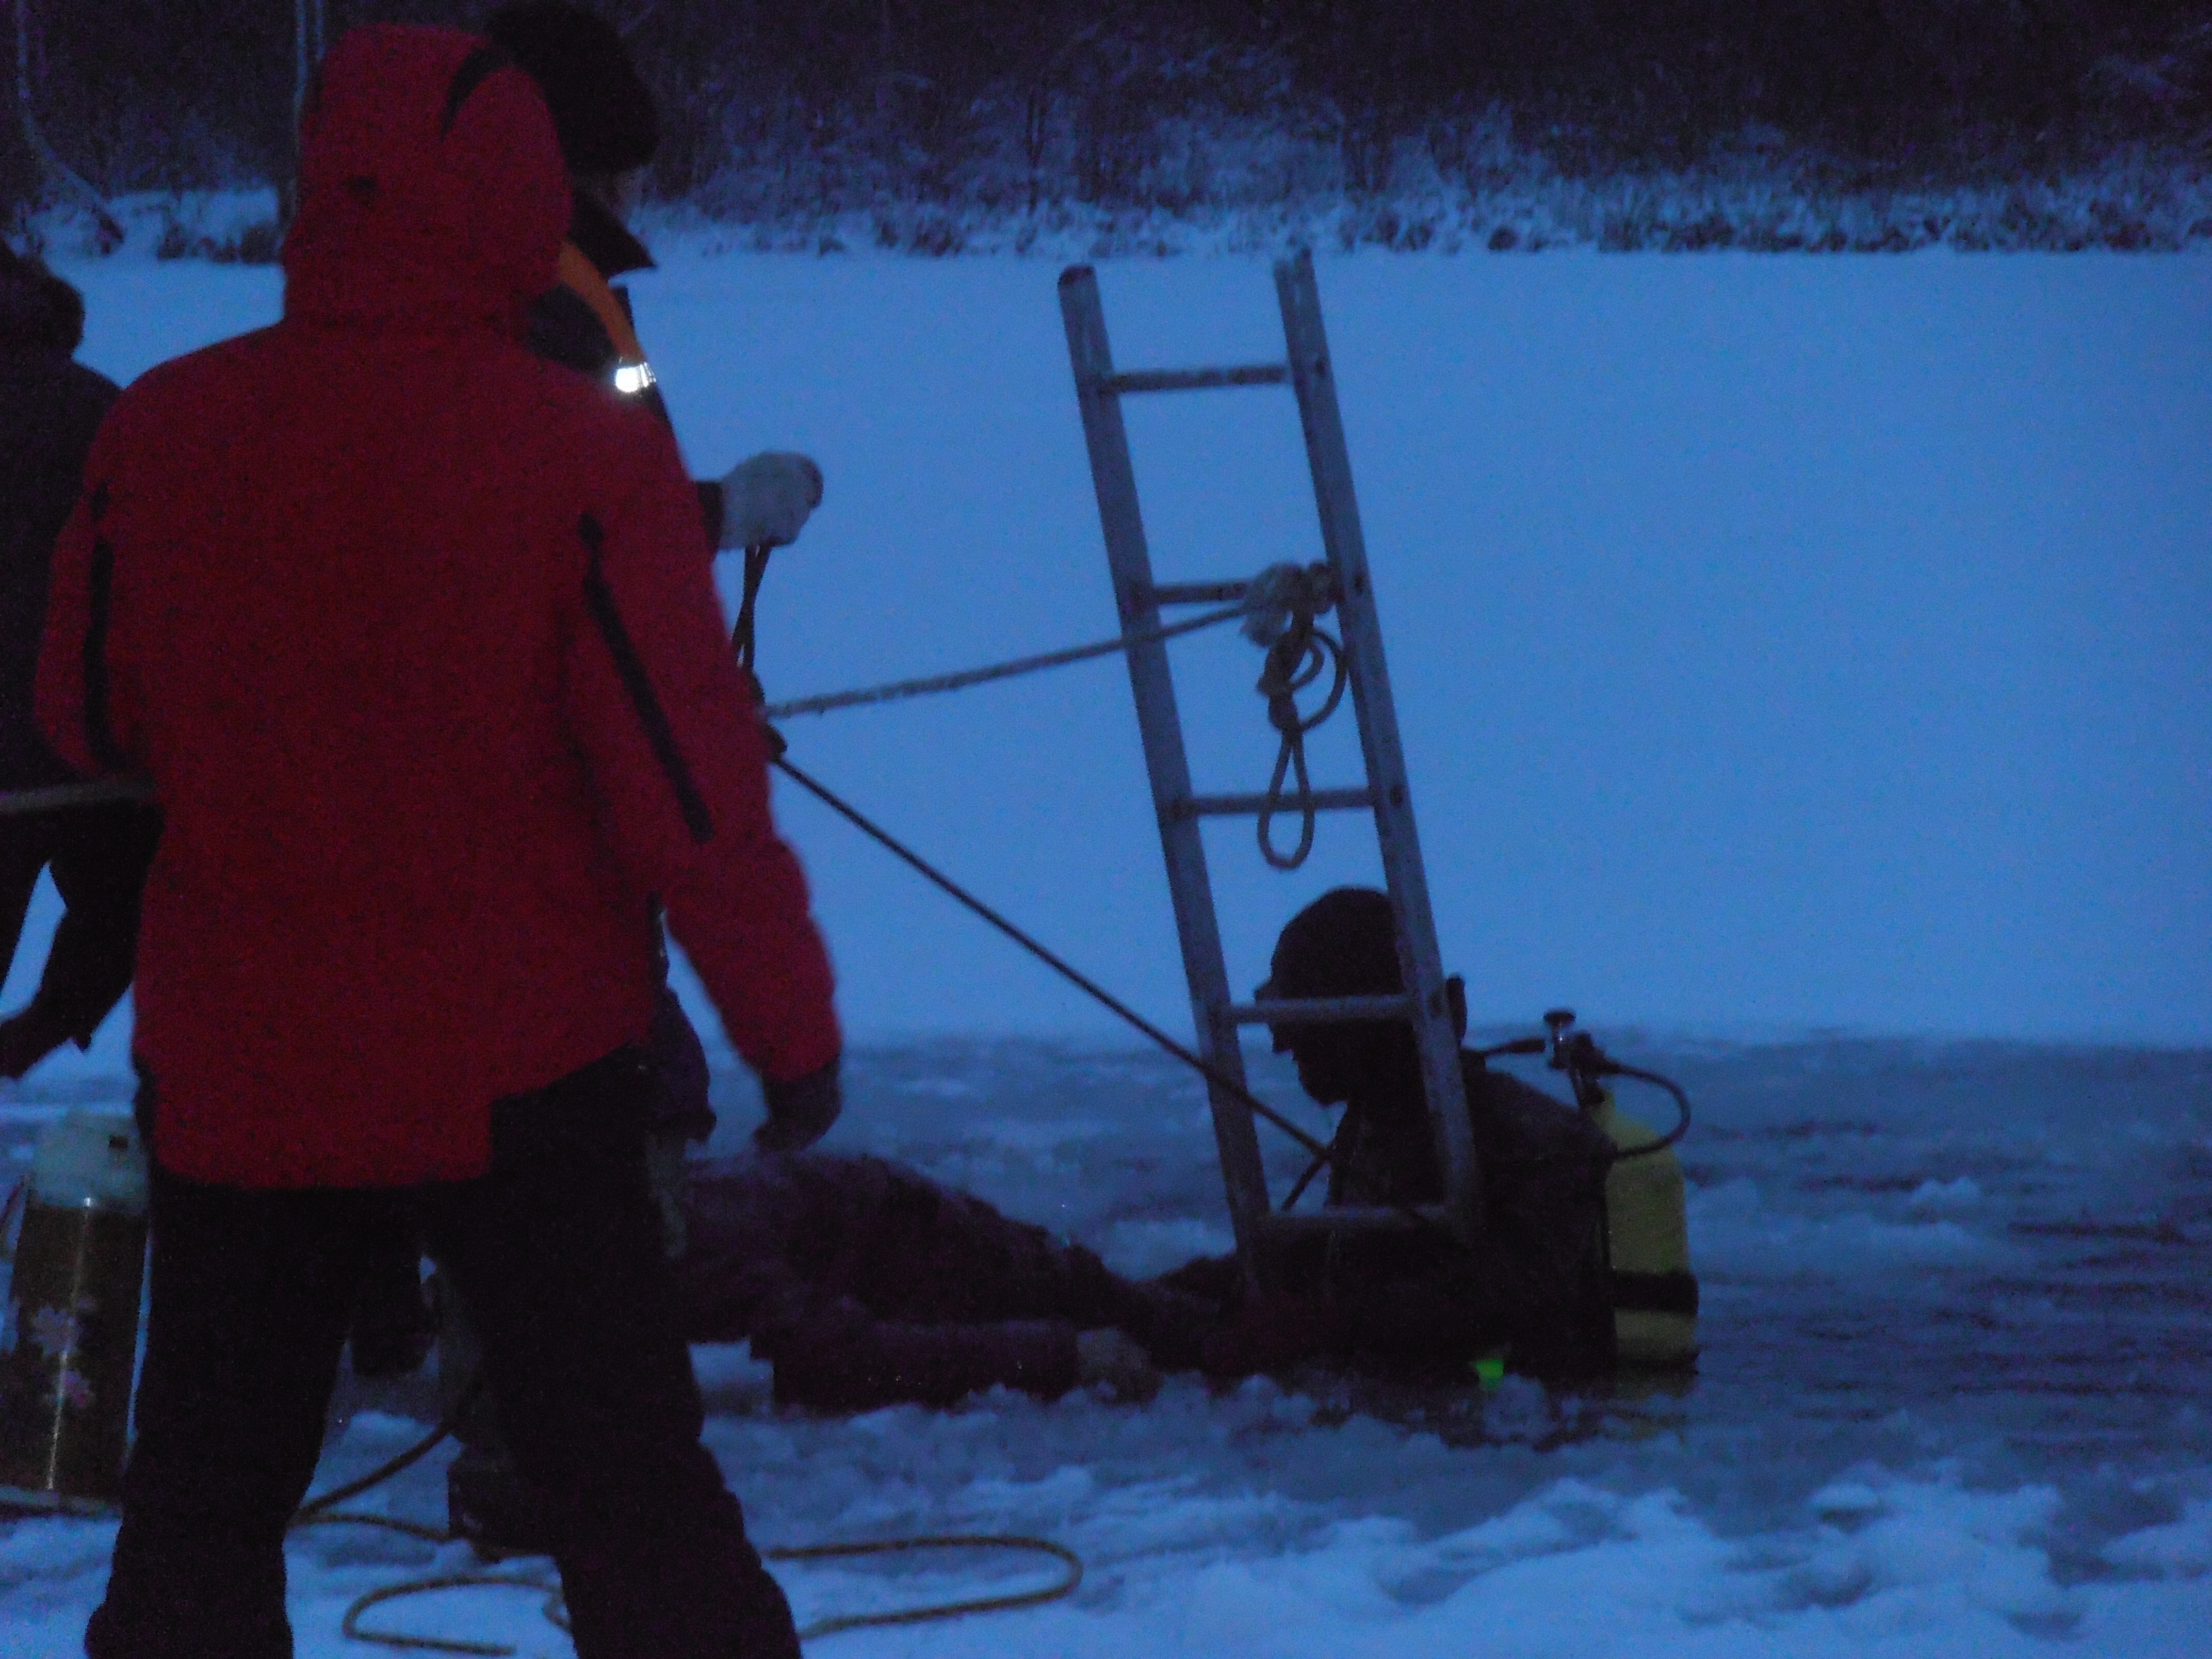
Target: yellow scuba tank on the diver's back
1649,1249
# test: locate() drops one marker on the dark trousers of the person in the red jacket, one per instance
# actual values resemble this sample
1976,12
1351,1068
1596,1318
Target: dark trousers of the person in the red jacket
559,1260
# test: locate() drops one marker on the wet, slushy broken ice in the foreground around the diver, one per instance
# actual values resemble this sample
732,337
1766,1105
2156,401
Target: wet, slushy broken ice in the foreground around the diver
1926,1426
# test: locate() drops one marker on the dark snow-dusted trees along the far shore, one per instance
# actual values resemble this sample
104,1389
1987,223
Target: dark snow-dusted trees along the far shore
1072,98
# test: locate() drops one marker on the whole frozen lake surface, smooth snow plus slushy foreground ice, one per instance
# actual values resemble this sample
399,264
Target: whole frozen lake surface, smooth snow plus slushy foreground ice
1777,643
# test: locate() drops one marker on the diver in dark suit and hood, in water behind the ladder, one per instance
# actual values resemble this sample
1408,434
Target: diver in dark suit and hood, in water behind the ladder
1534,1282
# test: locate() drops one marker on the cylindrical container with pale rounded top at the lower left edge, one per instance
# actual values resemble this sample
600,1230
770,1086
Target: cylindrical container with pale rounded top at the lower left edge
72,1315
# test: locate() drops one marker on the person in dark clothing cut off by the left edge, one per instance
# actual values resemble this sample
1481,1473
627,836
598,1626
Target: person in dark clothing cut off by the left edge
98,853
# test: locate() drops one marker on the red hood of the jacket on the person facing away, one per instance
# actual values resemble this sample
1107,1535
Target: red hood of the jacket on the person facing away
430,185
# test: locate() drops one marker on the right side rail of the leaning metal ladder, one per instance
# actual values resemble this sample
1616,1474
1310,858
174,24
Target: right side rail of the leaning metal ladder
1419,957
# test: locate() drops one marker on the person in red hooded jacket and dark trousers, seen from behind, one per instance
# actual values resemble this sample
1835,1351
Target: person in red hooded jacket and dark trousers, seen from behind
415,638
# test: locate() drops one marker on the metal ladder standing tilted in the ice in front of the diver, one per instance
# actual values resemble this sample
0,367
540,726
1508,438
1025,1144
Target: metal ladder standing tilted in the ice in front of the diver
1100,390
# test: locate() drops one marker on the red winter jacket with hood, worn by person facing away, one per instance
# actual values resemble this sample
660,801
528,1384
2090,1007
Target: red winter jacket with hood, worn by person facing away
417,638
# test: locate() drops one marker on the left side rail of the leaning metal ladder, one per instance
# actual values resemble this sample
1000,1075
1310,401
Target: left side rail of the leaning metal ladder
1167,762
